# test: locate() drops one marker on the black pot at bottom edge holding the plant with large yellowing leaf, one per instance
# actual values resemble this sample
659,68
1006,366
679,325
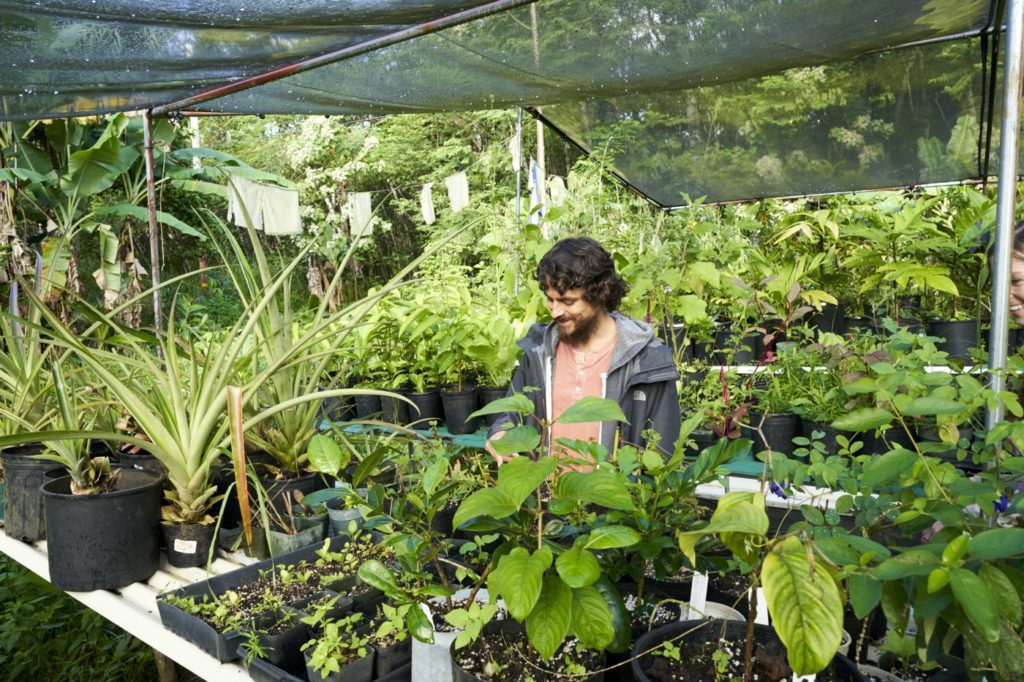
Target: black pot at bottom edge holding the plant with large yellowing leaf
706,631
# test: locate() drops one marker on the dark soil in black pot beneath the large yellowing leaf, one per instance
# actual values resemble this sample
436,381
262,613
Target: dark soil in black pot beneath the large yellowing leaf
698,664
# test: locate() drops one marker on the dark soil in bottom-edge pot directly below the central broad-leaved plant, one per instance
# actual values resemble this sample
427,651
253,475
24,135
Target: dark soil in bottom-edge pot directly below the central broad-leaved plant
508,658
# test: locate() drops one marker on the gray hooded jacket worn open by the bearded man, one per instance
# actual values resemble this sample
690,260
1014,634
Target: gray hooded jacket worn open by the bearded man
642,379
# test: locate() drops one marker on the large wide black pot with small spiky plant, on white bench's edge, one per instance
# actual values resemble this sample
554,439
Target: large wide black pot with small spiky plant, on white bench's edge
105,541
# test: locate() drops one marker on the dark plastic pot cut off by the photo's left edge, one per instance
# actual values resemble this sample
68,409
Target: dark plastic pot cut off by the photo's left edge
23,503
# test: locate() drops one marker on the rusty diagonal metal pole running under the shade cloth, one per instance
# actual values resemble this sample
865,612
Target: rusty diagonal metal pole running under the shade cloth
346,54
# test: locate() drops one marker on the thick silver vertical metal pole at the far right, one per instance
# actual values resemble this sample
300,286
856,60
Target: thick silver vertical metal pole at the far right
1006,202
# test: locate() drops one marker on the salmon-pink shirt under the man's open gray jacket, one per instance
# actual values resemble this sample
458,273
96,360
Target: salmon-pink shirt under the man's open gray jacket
577,376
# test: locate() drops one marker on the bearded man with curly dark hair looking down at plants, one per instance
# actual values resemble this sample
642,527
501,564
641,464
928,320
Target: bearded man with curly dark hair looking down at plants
590,350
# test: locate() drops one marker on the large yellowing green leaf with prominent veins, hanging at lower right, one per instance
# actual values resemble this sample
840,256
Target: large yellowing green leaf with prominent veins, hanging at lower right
805,606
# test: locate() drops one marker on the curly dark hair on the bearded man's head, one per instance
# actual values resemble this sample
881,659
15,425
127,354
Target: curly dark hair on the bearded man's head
582,263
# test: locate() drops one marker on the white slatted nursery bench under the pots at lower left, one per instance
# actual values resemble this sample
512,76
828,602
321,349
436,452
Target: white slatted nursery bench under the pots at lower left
135,608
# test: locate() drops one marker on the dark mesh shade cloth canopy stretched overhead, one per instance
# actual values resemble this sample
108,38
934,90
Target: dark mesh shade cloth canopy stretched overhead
728,100
